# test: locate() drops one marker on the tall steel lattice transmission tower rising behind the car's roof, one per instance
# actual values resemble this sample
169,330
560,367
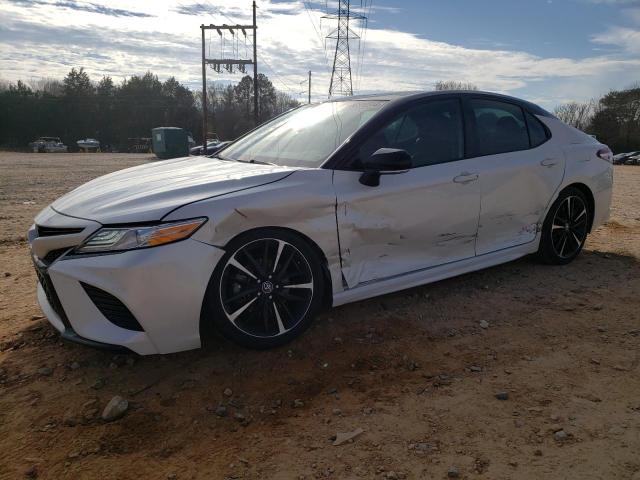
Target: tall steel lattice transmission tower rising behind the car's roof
341,82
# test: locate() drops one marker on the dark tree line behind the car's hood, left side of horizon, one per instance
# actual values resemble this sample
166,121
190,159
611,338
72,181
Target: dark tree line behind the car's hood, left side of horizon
77,107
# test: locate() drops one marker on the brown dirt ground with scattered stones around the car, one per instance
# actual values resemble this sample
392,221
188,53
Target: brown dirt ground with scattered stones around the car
415,370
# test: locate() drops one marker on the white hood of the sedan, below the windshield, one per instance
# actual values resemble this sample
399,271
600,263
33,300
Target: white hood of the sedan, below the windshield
148,192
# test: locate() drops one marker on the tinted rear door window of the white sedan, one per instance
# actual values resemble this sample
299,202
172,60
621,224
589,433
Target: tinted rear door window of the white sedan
500,127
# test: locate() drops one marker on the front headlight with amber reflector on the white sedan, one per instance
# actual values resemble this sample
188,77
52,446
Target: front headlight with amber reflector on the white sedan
111,239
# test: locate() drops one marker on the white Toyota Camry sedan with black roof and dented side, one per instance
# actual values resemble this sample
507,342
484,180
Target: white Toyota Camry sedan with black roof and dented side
324,205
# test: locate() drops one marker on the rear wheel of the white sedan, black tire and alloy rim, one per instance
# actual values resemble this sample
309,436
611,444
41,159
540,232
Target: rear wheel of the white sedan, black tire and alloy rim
565,228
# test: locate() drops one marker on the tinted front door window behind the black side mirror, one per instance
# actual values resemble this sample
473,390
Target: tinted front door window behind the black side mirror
431,133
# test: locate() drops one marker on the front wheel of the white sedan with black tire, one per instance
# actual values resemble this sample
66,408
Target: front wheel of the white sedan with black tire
271,314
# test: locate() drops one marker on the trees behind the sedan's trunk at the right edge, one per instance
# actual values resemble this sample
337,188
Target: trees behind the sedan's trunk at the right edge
614,119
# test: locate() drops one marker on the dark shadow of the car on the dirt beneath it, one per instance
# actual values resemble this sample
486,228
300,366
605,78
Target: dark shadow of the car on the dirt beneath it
363,332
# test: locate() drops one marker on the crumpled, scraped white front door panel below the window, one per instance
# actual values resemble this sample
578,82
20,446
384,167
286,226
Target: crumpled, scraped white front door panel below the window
412,221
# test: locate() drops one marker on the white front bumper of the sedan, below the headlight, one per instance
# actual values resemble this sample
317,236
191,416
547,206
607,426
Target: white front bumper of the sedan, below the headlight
163,287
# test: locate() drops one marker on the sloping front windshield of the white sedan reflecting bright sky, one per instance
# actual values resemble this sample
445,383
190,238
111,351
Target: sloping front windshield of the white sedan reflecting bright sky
304,137
